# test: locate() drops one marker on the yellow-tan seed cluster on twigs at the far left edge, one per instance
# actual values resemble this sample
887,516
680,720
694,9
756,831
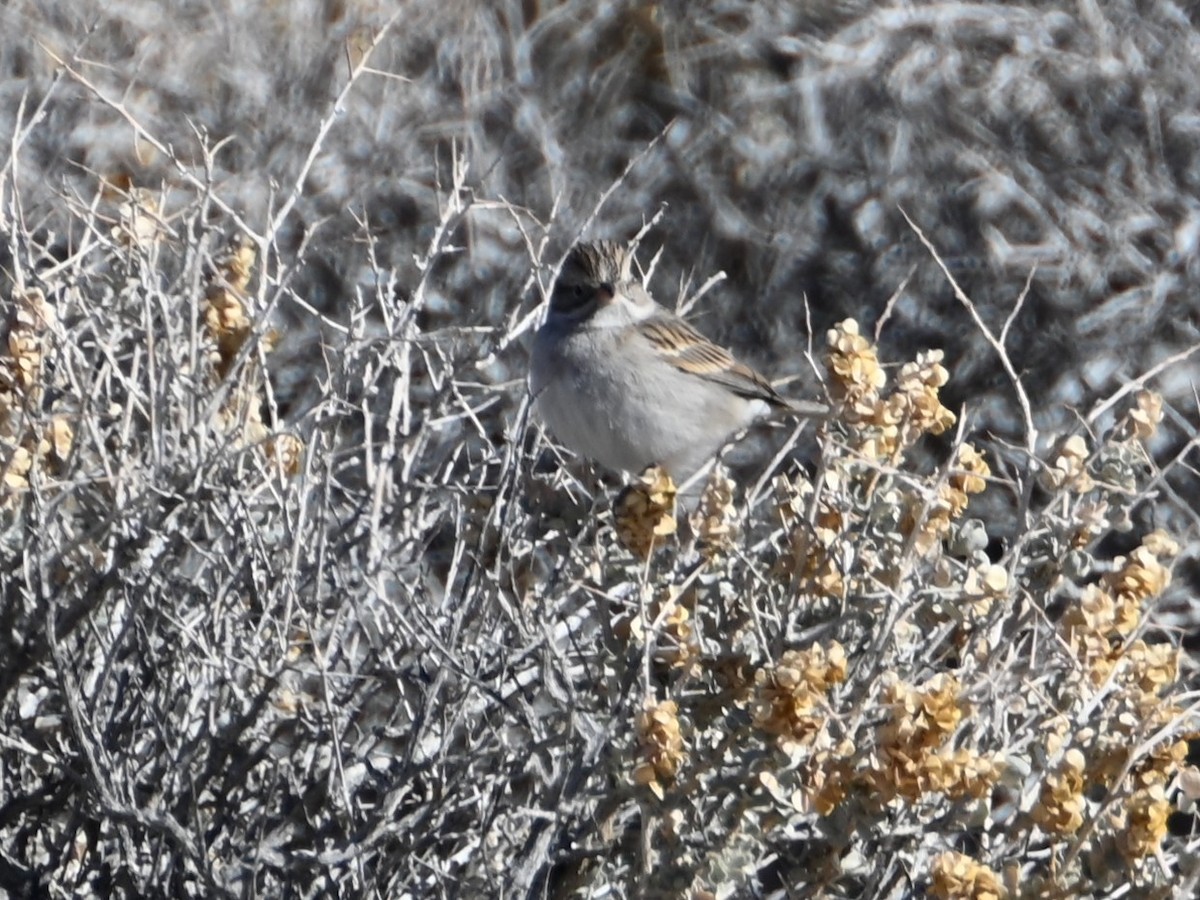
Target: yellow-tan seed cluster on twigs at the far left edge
22,394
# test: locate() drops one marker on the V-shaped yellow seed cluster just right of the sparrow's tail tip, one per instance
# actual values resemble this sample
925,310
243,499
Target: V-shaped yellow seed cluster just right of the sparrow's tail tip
883,428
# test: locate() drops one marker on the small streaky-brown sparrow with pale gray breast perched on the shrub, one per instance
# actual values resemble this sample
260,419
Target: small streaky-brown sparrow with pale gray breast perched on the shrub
627,383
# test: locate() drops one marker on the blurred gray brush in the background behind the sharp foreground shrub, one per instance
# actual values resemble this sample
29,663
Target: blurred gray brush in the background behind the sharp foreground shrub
1058,136
